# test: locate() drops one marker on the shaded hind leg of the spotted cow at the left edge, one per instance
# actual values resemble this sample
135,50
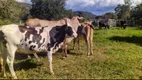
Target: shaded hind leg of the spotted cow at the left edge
3,62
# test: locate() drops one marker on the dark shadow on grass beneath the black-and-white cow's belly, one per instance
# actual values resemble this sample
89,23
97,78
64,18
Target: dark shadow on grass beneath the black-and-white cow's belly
26,65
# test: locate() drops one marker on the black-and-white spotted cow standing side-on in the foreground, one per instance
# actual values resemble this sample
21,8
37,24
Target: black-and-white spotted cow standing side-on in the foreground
35,39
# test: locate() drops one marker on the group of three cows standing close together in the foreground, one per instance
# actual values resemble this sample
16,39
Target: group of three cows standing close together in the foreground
37,35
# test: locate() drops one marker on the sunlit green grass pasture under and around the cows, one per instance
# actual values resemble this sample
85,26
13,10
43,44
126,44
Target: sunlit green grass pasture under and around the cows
117,55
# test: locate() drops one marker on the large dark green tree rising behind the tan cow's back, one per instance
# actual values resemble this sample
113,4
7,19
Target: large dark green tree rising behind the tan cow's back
48,9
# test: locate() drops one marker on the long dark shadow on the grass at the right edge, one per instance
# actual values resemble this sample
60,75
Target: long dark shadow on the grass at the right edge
134,39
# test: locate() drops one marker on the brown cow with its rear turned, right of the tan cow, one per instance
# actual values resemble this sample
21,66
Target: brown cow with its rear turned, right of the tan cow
86,30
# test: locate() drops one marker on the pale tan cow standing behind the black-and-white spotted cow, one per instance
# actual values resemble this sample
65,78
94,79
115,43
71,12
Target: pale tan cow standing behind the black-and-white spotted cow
74,22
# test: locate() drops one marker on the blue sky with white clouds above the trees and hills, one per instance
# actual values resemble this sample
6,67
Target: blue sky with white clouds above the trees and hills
97,7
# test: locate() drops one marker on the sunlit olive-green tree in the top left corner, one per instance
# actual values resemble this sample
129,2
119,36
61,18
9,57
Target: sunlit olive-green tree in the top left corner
10,9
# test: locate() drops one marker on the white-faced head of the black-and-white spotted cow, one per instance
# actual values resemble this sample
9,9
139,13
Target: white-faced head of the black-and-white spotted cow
70,31
